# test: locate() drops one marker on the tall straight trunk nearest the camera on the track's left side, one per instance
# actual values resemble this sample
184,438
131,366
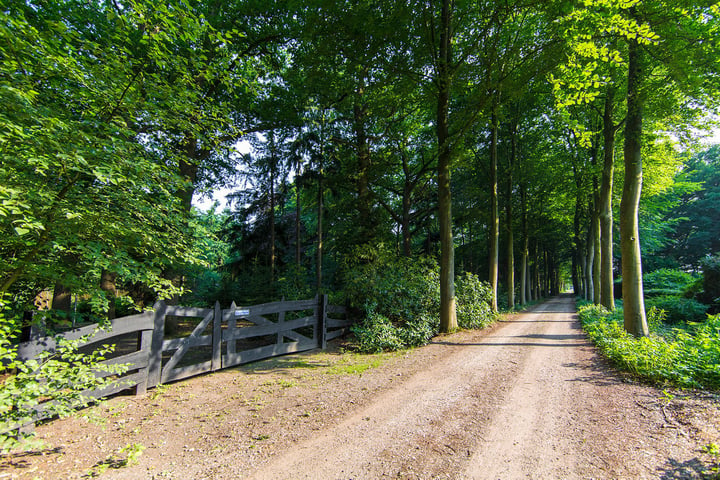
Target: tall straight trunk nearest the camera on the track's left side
448,317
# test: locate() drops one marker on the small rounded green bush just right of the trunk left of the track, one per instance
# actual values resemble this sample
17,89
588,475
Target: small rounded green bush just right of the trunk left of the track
473,302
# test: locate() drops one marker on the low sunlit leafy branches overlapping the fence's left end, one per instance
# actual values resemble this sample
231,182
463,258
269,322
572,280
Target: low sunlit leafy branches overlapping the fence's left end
52,382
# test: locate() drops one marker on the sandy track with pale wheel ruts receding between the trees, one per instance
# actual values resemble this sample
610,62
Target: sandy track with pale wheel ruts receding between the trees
530,399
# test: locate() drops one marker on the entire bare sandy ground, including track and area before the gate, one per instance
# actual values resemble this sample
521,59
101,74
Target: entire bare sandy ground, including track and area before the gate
527,398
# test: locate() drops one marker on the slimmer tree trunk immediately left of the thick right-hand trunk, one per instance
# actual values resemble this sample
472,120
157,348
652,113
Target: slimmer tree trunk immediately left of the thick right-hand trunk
607,296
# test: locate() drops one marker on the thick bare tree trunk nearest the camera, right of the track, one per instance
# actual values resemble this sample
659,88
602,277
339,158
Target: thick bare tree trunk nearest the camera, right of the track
632,287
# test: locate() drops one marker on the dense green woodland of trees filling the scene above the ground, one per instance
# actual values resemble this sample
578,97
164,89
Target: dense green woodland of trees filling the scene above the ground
385,152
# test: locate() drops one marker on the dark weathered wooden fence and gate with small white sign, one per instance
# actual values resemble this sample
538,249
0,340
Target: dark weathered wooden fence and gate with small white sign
220,338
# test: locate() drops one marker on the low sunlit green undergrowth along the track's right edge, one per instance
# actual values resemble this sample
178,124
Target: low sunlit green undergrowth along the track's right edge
685,358
